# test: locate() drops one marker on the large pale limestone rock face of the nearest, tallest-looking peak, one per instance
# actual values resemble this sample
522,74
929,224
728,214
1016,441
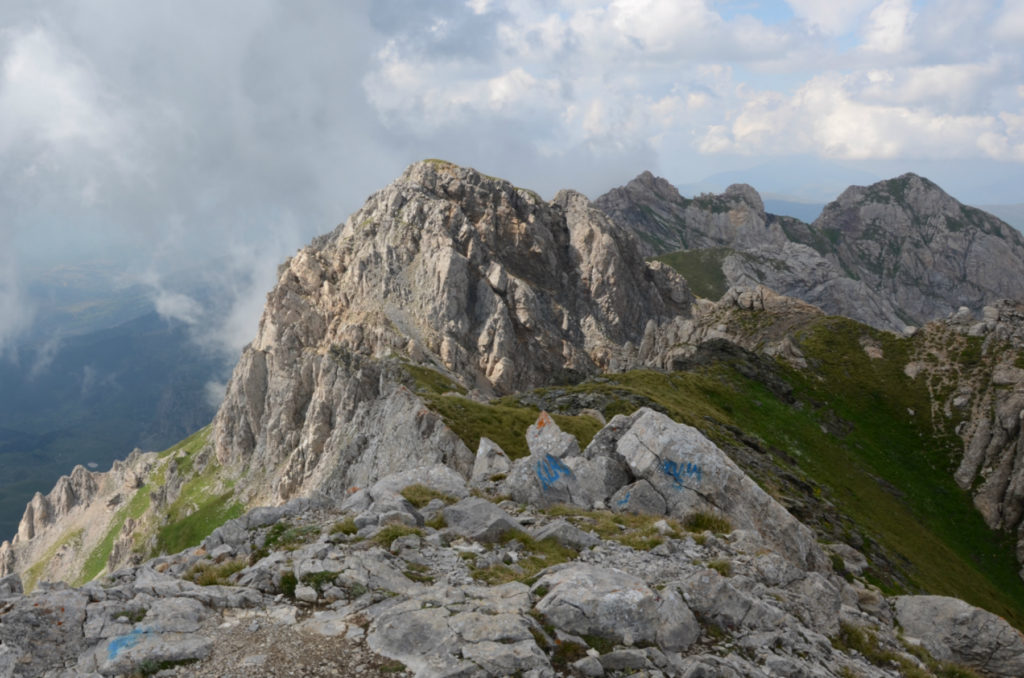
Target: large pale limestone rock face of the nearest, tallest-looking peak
447,268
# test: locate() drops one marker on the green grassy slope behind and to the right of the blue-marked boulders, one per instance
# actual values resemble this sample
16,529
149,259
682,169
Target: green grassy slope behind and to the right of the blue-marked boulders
848,428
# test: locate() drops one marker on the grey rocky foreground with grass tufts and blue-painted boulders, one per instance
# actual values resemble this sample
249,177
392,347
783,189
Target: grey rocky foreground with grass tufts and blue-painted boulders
648,554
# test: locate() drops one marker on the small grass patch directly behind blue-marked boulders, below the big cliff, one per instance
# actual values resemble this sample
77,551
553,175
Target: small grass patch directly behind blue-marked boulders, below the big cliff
504,422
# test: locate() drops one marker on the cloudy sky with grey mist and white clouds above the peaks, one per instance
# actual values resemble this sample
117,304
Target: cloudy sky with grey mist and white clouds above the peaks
203,143
